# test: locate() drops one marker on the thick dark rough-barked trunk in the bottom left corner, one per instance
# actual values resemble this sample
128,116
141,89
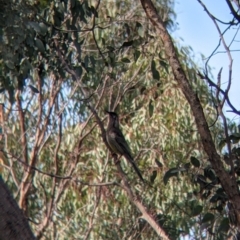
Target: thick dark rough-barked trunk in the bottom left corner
13,224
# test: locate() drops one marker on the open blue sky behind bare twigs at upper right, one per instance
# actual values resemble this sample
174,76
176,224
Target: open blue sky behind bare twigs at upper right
198,31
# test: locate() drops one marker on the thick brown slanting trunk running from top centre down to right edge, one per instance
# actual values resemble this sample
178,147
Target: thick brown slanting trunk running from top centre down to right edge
229,185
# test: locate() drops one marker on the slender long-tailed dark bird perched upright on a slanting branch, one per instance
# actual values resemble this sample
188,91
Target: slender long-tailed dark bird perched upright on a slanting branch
117,142
